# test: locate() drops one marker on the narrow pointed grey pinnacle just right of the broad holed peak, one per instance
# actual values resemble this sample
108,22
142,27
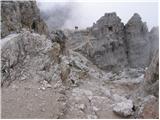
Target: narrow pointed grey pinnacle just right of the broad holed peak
137,42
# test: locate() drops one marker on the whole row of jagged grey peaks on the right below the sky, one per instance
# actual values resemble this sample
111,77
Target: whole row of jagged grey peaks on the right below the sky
113,45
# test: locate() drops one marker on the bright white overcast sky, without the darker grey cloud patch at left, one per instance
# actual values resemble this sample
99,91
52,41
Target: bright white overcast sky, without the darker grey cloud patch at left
83,14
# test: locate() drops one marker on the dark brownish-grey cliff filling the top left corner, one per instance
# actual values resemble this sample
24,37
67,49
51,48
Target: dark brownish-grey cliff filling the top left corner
17,15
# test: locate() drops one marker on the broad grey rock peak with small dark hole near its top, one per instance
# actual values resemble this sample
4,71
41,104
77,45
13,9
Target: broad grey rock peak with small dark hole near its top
104,42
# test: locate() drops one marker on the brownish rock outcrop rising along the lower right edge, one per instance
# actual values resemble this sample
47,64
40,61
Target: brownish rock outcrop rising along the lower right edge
146,96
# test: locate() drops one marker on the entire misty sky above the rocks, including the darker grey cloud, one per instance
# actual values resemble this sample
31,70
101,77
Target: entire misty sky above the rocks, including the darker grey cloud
68,14
